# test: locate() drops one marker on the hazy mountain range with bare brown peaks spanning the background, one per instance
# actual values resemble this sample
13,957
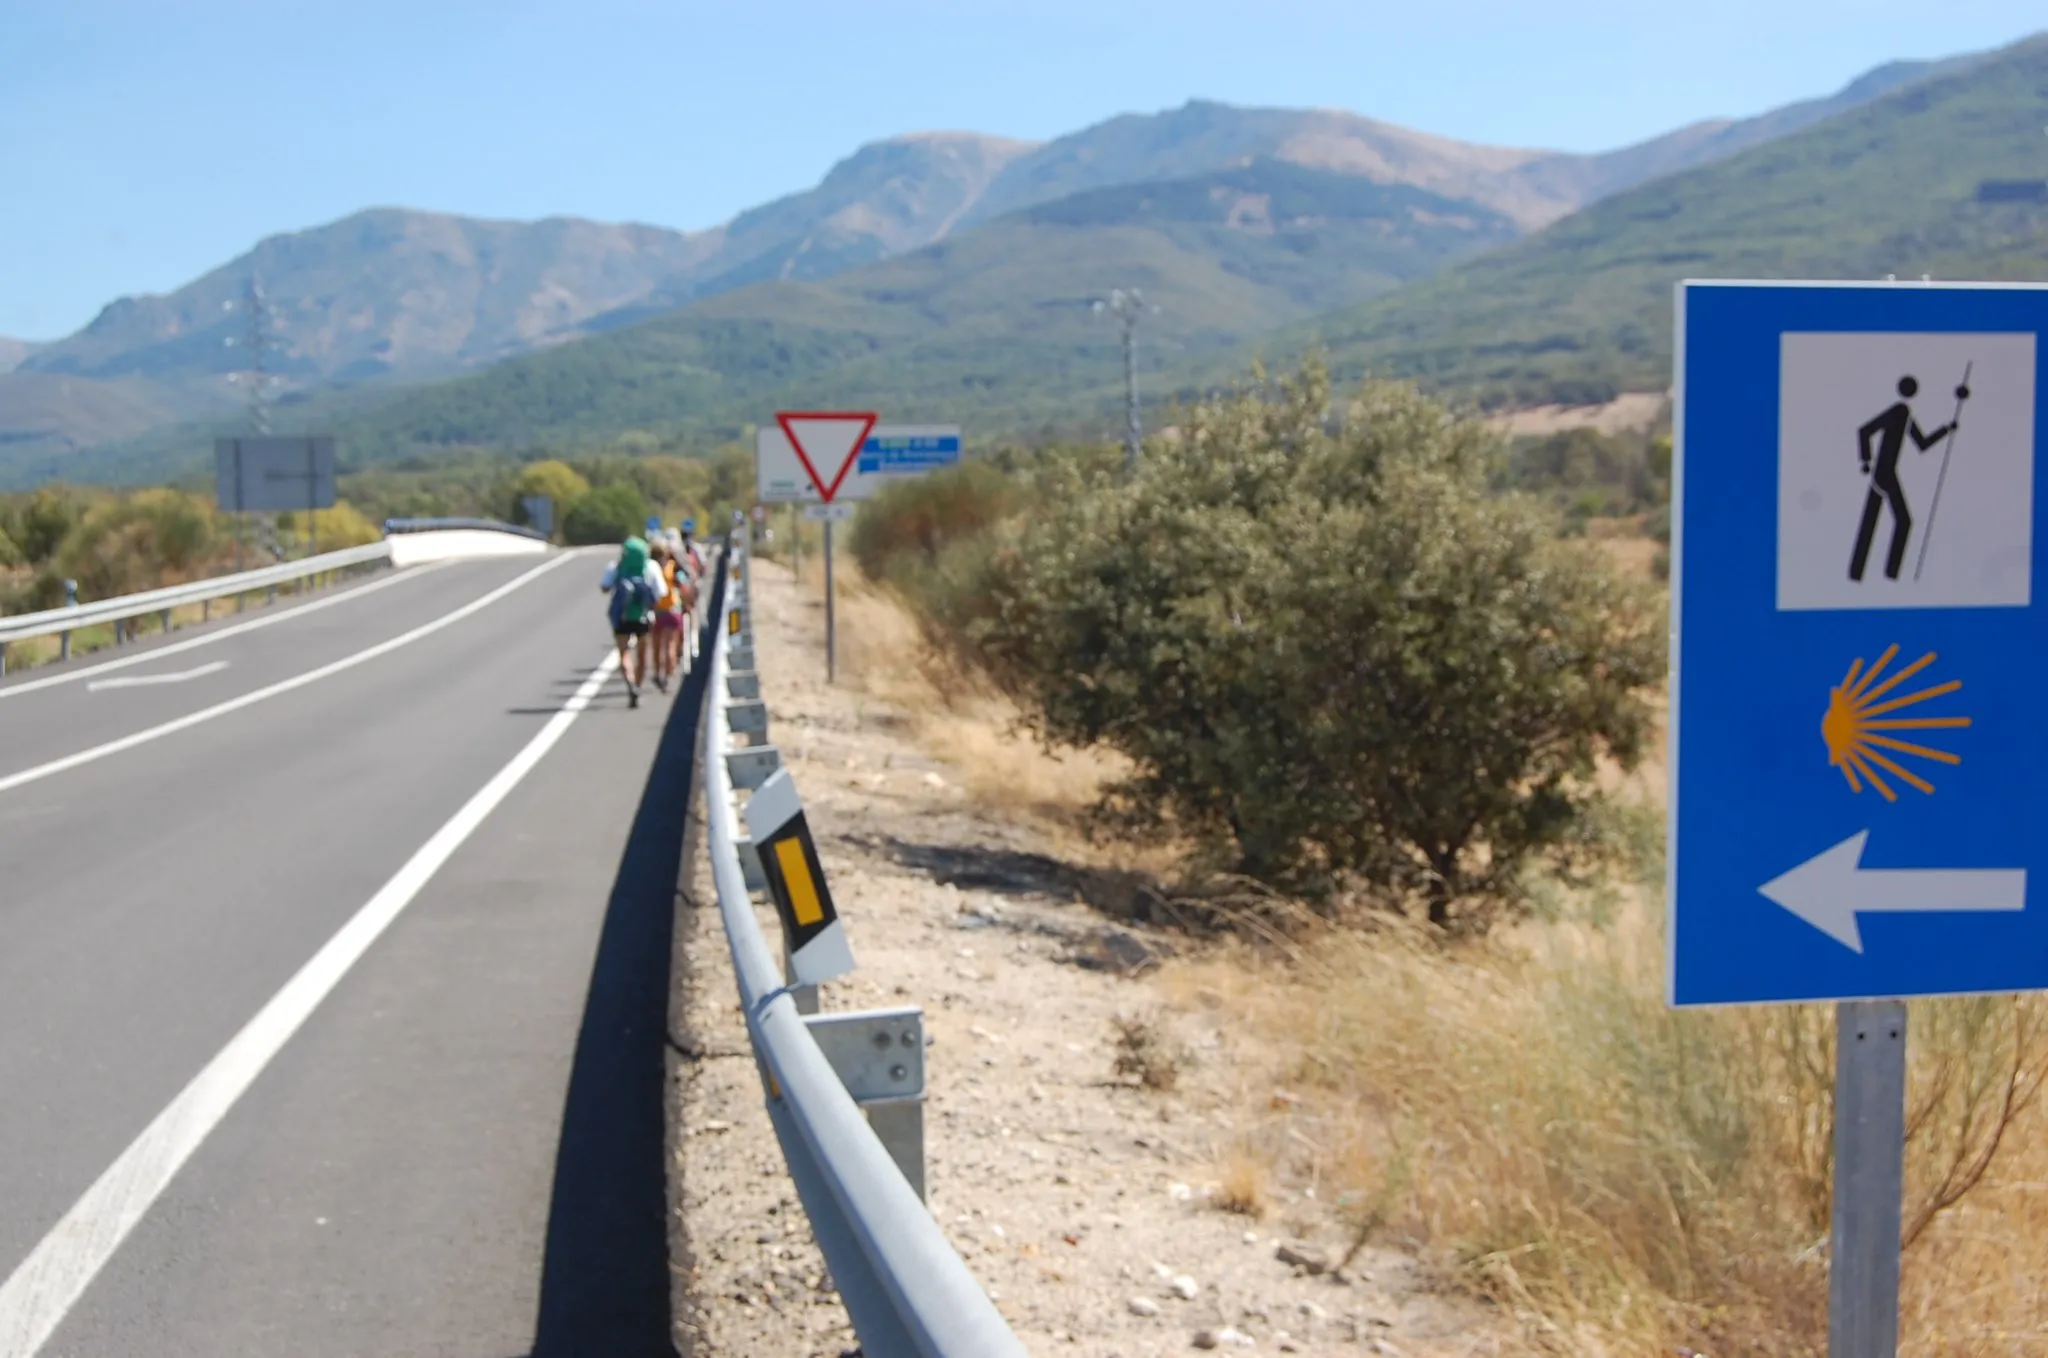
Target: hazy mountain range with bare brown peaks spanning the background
943,273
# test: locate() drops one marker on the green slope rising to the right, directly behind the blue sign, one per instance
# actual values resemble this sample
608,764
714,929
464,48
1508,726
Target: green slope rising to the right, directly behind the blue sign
1945,179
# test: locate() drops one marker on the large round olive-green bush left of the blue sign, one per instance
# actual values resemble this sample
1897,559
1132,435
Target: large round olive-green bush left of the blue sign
1324,644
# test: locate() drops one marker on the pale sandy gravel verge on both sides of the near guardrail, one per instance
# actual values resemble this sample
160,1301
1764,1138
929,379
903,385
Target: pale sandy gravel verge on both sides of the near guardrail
1084,1203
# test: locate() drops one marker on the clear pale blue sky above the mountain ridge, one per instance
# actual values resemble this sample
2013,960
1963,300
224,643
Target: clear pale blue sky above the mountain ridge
144,142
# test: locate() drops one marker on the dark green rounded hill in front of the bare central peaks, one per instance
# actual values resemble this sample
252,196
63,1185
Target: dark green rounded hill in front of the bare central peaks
994,327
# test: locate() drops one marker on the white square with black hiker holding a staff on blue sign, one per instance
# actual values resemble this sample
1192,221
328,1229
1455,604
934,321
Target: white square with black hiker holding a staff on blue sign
1906,470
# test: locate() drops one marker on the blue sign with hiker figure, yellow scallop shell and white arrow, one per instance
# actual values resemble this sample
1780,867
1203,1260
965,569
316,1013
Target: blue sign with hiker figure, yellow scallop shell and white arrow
1859,714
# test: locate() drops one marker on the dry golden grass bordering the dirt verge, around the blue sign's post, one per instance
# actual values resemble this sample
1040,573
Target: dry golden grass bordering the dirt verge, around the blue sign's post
1533,1119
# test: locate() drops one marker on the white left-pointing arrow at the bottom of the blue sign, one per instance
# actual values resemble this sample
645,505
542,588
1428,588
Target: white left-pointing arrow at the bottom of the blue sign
1830,890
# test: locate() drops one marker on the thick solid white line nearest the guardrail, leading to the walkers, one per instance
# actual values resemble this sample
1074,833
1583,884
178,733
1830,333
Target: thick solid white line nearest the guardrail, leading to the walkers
36,1300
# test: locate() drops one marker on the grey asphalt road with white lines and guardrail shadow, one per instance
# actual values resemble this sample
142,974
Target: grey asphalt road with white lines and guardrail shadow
462,1148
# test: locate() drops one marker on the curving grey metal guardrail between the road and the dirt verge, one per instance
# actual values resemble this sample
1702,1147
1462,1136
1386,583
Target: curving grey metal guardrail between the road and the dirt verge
906,1289
